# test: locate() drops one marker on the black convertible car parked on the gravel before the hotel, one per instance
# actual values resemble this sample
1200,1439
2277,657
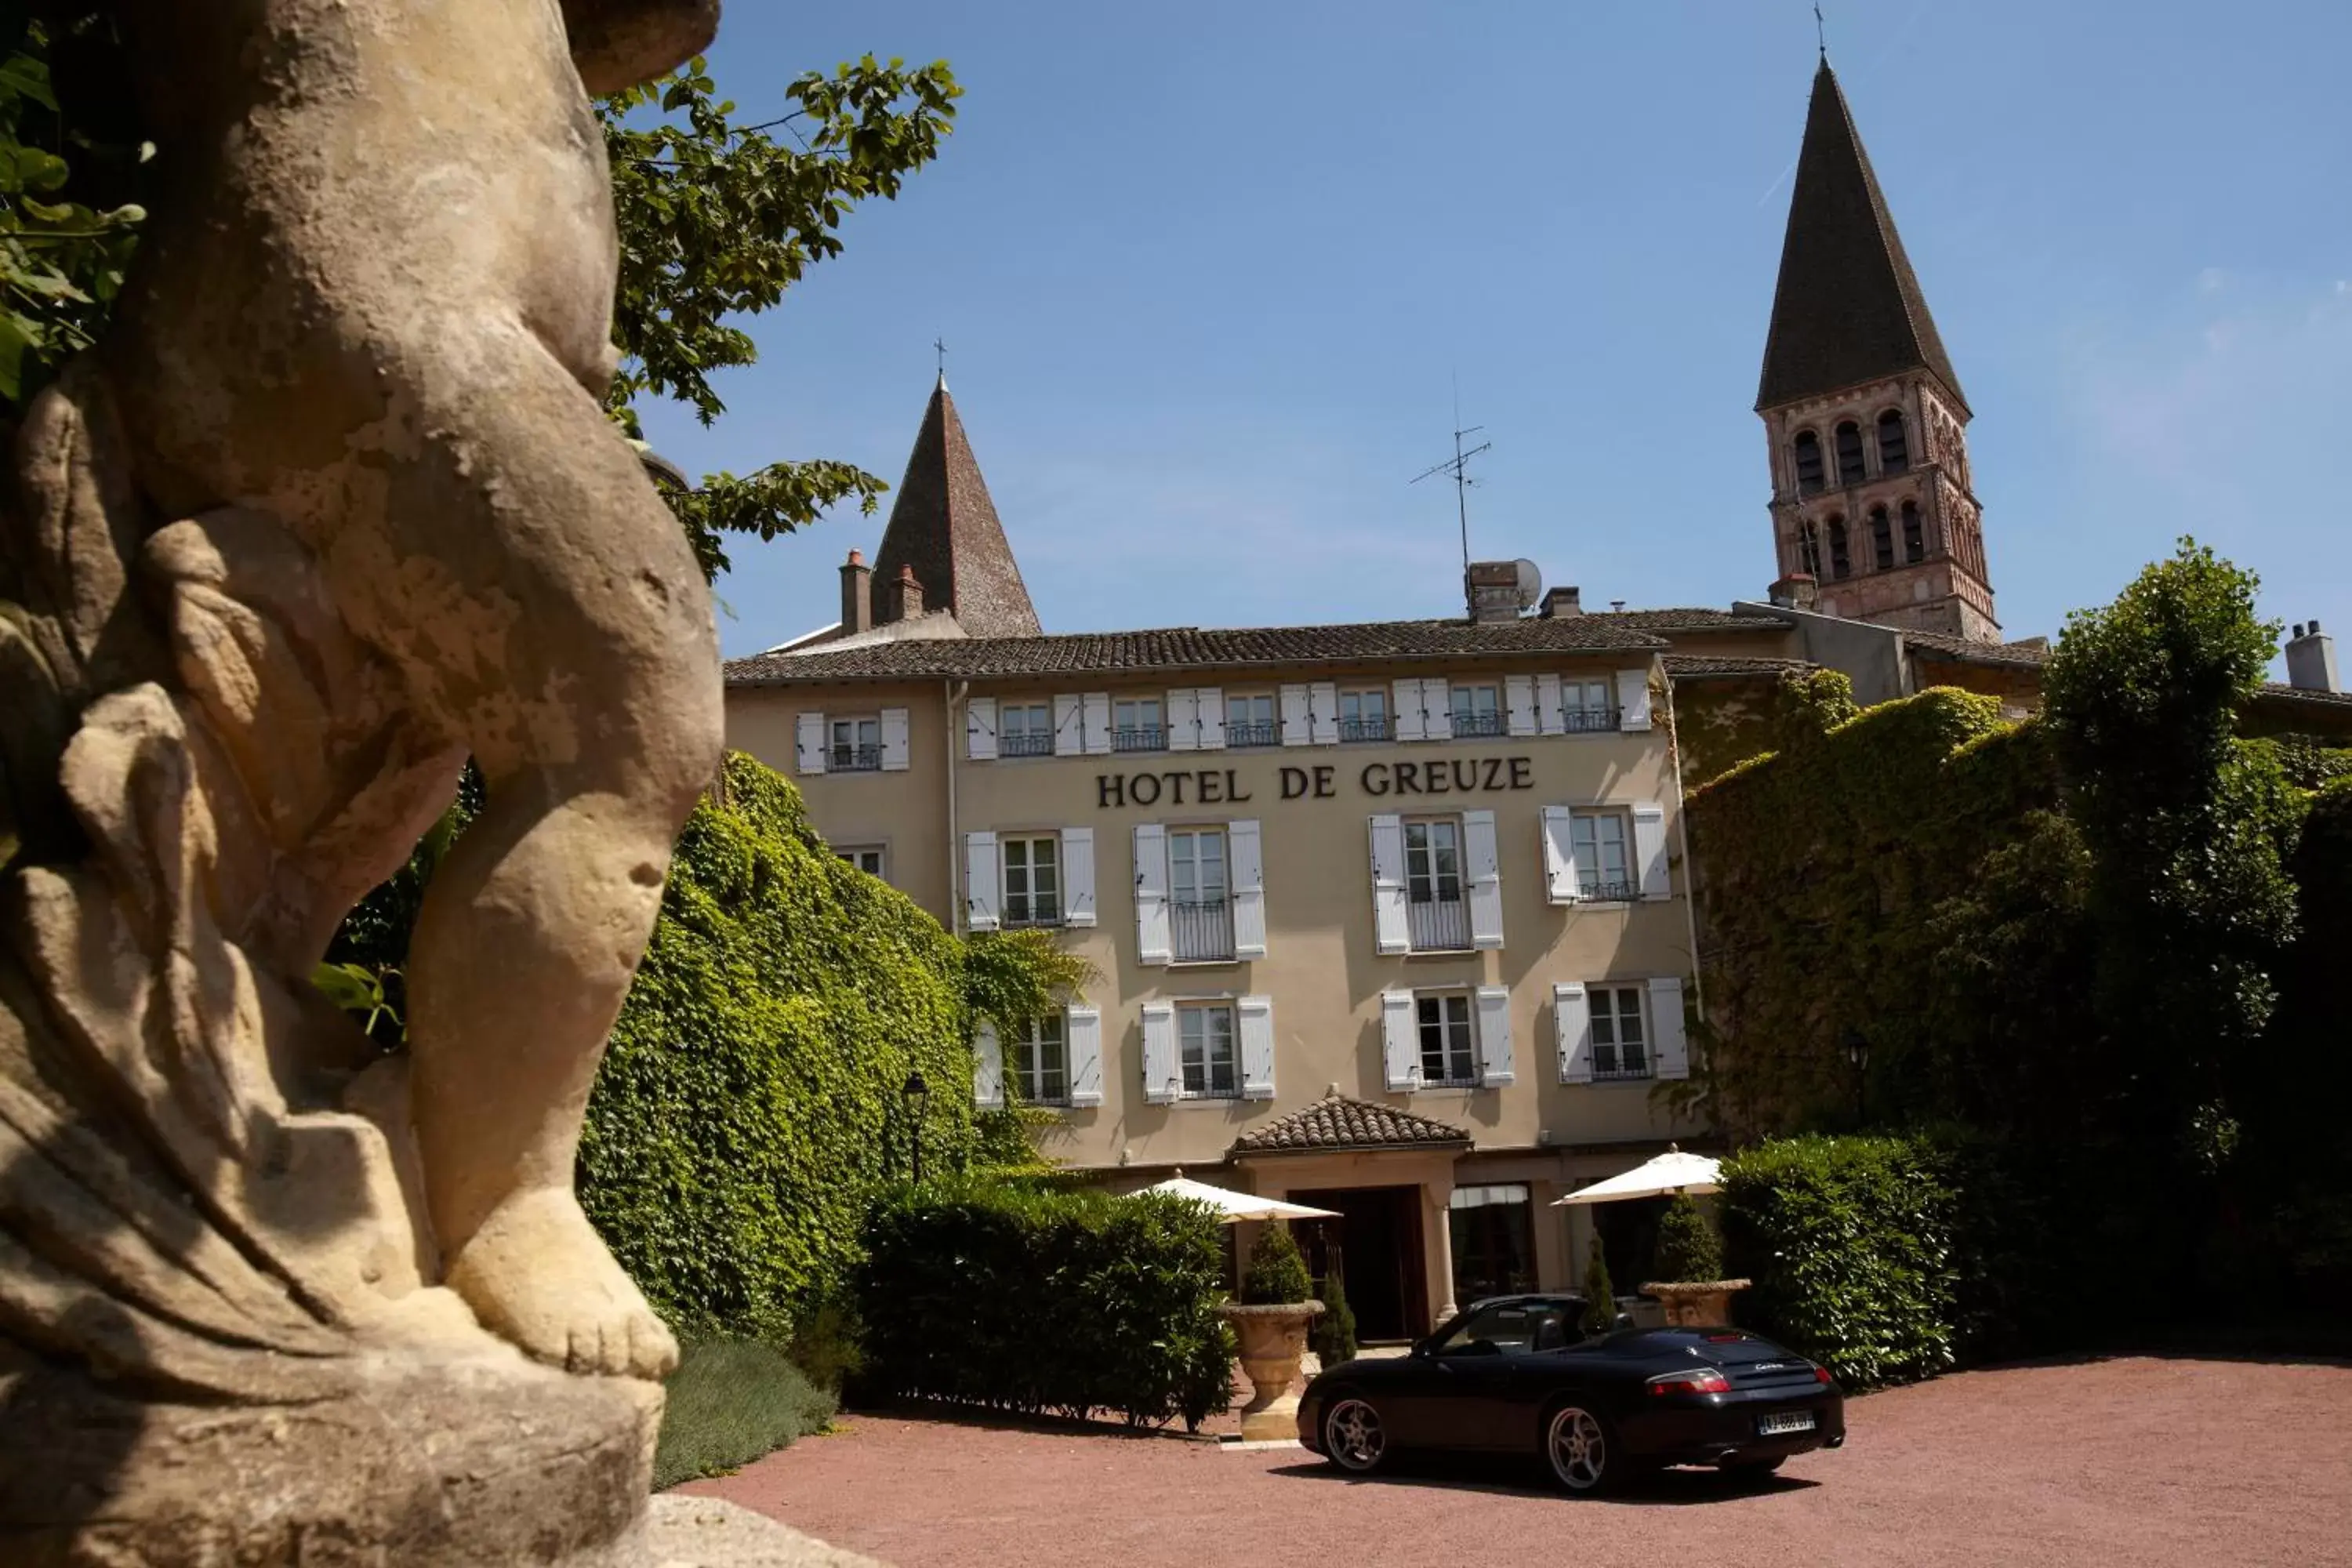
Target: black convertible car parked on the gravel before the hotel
1514,1374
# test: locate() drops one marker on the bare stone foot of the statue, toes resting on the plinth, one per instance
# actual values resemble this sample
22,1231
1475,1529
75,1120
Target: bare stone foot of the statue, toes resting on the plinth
540,1275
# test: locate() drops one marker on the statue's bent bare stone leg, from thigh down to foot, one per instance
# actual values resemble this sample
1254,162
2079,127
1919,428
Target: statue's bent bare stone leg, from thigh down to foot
547,608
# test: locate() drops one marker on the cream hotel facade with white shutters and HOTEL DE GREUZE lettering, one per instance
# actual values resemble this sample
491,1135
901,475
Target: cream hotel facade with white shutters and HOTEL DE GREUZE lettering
1448,892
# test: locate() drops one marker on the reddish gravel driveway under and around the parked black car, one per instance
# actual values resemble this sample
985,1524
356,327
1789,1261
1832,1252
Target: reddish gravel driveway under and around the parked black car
2130,1461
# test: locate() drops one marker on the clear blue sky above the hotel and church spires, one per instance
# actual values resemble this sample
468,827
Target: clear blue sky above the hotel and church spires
1208,276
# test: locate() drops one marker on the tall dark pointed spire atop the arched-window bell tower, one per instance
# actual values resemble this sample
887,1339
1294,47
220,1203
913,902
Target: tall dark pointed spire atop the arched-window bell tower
1850,307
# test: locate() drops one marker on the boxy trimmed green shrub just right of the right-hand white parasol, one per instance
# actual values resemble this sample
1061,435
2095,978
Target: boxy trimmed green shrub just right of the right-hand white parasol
1852,1252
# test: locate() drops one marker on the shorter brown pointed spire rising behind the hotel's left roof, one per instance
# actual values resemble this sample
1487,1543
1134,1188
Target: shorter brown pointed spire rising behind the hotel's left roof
947,528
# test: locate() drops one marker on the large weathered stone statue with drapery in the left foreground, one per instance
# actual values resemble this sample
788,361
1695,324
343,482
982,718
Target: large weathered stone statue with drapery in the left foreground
333,509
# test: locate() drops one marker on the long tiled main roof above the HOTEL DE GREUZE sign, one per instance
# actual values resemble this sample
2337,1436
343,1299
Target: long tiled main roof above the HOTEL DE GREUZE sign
1191,648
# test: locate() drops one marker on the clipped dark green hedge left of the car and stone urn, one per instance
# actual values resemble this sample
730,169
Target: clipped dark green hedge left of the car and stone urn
1041,1299
